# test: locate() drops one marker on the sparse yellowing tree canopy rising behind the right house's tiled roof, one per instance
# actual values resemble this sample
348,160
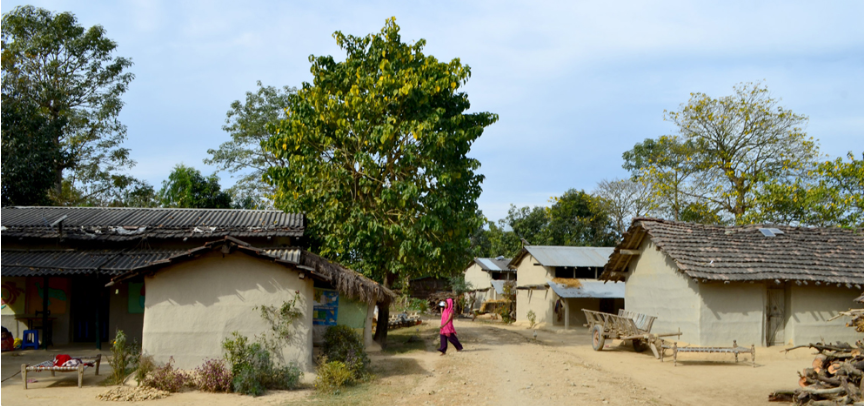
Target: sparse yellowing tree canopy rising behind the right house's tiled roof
726,150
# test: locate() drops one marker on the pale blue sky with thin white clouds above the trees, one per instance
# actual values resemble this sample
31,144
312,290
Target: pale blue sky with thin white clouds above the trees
575,83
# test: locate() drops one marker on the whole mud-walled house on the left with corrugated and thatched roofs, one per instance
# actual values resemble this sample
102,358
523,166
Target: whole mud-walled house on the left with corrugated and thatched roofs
178,281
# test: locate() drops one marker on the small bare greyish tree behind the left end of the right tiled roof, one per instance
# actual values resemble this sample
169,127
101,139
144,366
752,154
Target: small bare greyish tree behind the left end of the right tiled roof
623,200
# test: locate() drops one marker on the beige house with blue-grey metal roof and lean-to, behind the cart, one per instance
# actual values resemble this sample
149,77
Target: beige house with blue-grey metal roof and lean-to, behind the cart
556,283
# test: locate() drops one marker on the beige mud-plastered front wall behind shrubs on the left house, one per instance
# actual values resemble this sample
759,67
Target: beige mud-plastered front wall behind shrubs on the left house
191,307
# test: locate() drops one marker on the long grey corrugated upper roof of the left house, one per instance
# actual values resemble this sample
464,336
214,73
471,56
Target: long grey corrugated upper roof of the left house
117,224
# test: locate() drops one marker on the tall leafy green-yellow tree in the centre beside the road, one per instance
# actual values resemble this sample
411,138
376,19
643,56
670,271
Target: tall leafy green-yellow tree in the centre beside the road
375,152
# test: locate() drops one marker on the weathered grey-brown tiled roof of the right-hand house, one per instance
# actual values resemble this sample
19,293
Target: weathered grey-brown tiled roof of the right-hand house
746,253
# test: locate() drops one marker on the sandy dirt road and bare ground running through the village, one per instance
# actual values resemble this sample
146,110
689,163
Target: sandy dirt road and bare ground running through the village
501,365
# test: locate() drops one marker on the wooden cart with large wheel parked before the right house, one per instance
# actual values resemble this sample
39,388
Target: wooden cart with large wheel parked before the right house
627,326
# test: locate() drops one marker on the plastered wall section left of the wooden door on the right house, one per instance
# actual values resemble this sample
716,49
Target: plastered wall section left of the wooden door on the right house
731,312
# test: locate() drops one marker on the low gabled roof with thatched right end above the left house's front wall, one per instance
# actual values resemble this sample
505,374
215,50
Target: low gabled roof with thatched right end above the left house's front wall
346,281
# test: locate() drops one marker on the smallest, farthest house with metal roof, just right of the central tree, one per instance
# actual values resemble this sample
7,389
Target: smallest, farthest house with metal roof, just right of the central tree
487,277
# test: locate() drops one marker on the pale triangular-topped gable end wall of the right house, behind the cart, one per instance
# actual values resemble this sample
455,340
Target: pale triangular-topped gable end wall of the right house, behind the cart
656,287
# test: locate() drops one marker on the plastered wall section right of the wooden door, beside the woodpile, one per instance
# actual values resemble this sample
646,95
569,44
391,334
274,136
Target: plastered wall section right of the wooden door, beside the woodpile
809,309
